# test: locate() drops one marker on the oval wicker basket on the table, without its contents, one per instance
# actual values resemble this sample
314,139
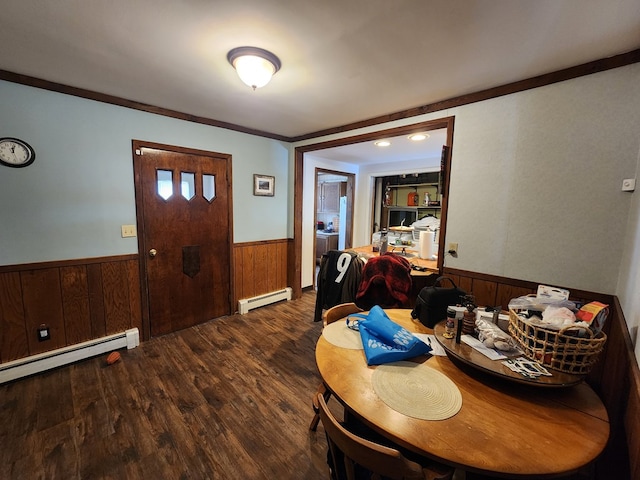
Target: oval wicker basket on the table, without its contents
560,350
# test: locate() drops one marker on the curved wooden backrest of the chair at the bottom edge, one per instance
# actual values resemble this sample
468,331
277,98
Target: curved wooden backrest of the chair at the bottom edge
356,450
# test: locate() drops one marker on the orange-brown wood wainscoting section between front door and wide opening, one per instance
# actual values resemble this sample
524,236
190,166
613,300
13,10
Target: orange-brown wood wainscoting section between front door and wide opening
259,268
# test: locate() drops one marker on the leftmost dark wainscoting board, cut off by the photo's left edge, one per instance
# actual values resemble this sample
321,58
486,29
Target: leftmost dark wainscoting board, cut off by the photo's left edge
13,334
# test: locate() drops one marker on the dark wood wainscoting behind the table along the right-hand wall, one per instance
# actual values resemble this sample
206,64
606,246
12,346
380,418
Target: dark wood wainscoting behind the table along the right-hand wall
616,376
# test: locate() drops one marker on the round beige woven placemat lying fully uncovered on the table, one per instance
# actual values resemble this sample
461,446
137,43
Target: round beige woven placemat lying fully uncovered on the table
417,390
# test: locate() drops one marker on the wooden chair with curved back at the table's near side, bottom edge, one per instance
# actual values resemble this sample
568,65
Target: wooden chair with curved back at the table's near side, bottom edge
350,450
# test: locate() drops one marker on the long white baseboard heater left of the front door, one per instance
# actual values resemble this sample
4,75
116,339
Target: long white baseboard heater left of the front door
63,356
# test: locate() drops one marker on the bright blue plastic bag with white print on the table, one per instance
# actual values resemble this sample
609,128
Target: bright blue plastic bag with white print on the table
384,340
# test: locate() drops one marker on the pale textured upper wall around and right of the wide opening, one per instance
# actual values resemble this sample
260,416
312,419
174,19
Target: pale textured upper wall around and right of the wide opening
536,181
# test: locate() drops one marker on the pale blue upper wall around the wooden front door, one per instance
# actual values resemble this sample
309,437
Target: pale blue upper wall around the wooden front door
72,201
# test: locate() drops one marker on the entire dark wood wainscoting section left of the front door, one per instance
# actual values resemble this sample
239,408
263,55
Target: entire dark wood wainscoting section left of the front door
78,300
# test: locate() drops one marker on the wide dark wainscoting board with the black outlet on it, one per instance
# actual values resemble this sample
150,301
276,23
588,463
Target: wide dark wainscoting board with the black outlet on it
42,296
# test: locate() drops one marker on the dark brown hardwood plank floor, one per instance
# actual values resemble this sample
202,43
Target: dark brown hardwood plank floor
229,399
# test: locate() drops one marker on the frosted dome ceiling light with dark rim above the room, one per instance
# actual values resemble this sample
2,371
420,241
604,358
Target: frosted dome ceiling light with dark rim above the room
255,66
